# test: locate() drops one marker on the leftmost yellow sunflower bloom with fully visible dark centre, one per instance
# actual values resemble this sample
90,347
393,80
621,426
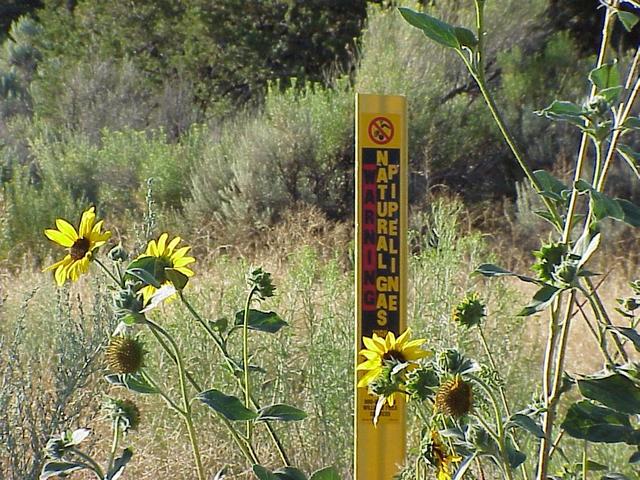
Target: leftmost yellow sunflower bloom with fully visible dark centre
80,244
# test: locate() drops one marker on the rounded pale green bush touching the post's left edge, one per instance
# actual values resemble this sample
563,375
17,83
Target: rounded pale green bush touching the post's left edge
296,150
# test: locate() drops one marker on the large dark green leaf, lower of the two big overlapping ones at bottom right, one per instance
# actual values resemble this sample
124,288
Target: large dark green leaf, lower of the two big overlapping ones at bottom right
588,421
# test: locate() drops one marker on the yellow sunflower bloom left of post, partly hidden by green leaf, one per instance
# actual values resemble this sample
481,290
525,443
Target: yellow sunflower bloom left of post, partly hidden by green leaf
168,258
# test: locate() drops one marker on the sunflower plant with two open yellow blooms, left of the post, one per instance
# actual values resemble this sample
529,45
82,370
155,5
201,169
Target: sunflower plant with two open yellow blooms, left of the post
161,273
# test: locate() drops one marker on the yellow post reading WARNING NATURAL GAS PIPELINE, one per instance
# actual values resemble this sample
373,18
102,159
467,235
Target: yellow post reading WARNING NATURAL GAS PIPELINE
381,269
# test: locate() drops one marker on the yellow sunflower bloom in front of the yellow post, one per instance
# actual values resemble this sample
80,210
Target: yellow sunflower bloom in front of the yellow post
389,352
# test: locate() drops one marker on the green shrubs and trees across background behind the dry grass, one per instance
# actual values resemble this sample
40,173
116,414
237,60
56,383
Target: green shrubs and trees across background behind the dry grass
91,117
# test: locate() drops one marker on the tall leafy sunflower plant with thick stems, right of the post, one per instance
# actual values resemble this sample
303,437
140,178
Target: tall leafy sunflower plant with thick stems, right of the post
470,423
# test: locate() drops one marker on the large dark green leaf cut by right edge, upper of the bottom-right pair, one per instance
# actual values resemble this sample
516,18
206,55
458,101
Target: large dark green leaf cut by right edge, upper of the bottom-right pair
614,391
